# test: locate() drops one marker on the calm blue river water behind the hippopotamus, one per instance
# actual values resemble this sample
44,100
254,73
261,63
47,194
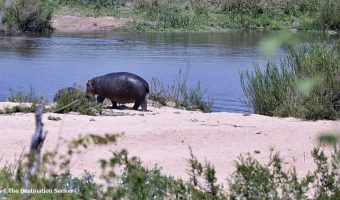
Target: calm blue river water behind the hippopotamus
215,59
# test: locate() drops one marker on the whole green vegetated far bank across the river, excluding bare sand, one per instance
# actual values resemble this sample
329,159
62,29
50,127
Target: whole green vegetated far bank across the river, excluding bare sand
200,15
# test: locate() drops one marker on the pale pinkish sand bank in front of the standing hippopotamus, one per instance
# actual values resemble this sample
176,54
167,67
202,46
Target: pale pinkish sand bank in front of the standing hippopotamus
163,136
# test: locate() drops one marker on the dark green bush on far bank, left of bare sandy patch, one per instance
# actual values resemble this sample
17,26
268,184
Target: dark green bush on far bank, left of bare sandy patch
25,16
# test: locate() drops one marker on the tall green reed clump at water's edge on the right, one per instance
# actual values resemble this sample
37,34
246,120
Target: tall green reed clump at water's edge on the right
302,85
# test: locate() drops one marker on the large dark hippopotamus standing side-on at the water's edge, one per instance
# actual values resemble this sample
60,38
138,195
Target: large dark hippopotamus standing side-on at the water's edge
119,87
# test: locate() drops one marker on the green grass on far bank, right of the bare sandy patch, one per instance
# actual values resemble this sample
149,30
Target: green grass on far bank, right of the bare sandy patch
244,14
